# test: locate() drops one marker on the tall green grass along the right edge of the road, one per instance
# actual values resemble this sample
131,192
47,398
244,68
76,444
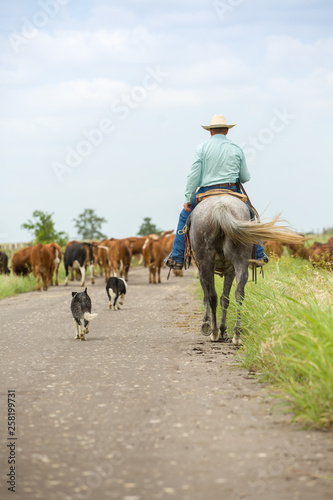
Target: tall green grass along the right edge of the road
287,324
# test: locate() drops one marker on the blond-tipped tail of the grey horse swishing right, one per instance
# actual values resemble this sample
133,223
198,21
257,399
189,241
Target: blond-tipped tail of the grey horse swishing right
247,232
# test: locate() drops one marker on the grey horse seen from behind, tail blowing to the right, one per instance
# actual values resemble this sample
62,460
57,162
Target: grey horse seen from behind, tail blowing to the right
221,238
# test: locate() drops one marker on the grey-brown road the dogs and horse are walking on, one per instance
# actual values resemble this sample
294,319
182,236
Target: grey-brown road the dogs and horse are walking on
145,409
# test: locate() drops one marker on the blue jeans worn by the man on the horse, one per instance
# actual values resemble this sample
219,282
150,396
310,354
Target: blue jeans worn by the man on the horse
178,248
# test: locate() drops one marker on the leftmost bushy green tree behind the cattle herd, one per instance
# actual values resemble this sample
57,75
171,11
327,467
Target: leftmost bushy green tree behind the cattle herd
43,230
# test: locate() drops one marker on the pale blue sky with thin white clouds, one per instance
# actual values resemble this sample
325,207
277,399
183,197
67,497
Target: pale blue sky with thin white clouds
102,101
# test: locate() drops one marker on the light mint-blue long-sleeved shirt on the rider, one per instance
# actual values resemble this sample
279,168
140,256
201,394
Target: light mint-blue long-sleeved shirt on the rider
216,161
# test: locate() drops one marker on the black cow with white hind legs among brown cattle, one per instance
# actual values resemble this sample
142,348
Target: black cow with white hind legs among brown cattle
79,256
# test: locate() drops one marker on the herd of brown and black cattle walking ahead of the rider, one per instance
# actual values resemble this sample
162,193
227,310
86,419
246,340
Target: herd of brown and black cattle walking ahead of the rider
112,257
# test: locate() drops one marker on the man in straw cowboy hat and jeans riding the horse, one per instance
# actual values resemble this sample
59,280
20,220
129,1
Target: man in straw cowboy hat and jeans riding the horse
218,164
